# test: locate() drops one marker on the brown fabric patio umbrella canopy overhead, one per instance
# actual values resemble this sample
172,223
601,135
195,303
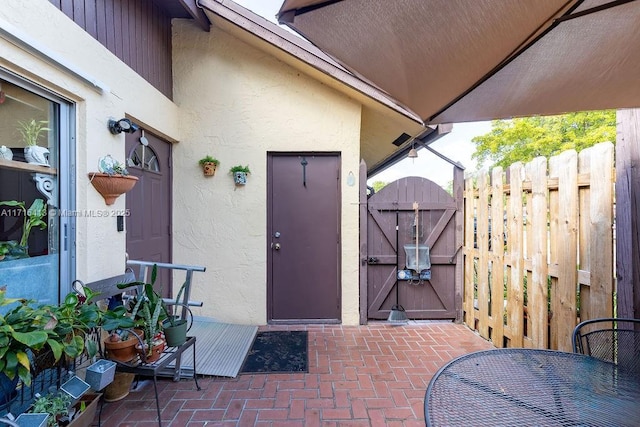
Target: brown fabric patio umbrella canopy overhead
467,60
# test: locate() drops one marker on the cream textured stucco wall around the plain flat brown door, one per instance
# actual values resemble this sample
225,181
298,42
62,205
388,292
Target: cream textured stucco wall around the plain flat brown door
236,104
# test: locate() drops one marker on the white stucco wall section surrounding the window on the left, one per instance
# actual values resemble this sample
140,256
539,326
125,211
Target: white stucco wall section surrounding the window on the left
100,248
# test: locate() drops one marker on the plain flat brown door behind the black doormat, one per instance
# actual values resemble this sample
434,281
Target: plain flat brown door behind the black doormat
303,221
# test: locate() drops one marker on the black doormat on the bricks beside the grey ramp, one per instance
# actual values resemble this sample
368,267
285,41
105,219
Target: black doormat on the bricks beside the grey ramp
278,351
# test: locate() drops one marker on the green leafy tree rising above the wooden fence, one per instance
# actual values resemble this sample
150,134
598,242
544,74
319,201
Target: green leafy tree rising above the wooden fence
523,139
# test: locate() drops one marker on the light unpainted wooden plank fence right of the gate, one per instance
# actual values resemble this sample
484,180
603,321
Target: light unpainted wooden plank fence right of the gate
539,248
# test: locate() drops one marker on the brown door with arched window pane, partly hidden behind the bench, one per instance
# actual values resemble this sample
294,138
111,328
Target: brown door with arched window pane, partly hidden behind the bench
148,222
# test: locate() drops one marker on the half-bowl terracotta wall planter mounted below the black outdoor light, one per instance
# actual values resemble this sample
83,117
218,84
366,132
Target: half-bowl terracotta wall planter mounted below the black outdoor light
112,180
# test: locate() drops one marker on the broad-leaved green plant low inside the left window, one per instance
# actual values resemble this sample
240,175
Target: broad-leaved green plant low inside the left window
33,218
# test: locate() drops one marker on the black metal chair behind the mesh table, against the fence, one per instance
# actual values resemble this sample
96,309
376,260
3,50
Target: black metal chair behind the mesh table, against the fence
616,340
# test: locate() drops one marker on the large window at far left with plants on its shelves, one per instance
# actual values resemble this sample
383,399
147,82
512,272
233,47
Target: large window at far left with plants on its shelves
35,145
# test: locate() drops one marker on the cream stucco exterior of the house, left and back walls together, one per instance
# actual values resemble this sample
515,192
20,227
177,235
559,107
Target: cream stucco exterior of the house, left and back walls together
233,100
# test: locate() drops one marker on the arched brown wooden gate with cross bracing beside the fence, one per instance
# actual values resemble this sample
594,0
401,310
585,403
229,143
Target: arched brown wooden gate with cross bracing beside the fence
388,225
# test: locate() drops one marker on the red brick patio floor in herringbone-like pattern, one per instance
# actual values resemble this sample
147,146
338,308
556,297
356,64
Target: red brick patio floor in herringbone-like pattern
374,375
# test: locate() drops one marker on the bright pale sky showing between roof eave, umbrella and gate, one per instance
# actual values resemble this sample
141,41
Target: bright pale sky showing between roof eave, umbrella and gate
456,146
